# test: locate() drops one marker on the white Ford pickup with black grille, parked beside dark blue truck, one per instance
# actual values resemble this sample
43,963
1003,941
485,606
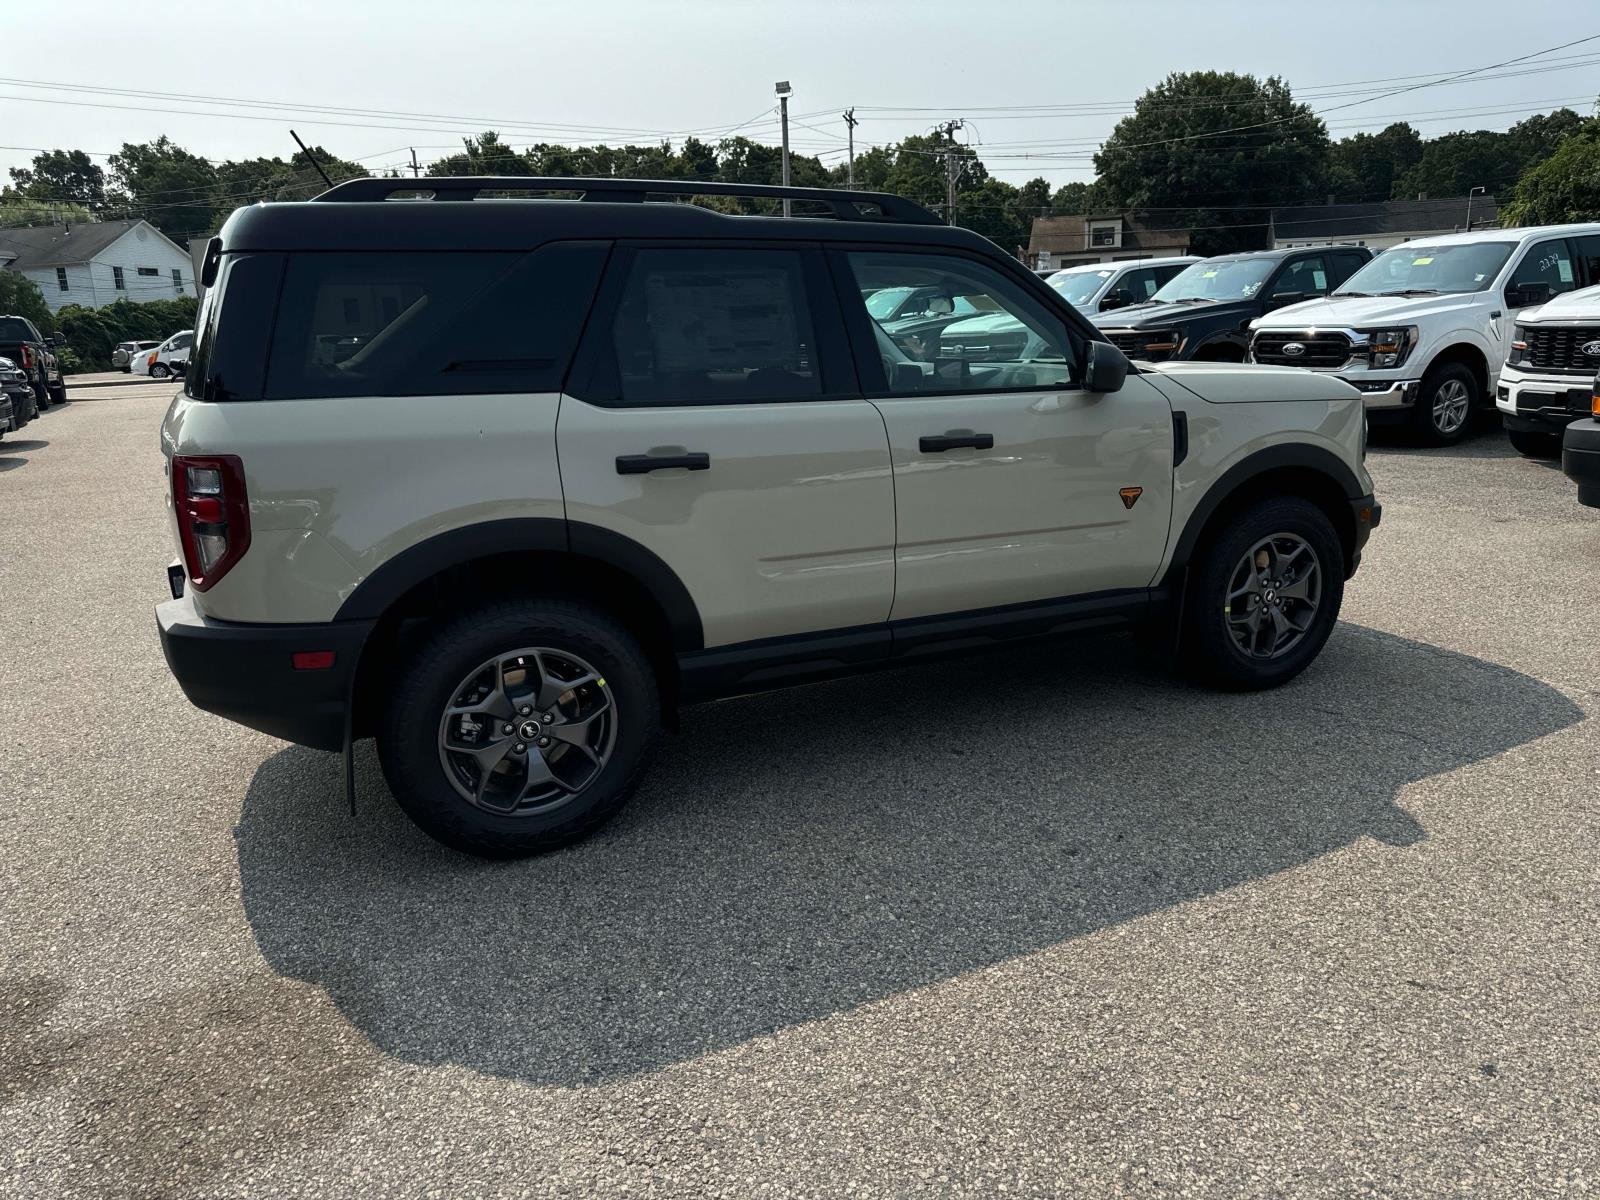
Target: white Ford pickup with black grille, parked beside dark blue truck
1425,329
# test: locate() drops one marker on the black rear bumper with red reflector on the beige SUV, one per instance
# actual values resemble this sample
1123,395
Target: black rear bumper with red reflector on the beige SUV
246,673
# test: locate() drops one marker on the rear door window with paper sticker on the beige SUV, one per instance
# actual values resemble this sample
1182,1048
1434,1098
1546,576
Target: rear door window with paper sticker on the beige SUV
716,327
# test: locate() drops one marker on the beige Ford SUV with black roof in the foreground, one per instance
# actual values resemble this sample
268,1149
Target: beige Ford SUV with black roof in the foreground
505,481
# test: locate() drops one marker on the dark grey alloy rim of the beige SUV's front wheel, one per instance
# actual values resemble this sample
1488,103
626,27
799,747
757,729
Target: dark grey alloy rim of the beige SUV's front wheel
1273,596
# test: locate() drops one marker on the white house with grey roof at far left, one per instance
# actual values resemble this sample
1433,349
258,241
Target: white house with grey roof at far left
98,263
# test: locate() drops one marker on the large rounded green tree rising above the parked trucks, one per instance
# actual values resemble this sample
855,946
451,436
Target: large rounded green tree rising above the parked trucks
1210,150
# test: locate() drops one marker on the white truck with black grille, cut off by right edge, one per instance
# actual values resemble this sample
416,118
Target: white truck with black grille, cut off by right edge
1548,380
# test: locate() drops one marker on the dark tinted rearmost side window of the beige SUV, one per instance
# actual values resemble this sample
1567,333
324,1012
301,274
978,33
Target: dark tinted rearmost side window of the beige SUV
428,324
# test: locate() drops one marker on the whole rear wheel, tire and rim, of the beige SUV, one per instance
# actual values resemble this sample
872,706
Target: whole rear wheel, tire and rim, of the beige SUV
521,727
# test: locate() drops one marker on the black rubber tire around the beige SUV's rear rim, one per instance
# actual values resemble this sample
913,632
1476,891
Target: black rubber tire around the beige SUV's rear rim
409,743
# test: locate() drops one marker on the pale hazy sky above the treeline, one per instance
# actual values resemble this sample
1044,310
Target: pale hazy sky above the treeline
1038,84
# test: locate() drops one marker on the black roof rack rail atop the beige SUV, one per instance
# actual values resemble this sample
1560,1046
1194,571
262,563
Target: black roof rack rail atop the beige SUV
842,204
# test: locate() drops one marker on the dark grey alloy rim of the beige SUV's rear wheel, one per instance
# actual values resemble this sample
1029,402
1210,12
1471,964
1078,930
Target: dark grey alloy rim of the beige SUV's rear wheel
527,732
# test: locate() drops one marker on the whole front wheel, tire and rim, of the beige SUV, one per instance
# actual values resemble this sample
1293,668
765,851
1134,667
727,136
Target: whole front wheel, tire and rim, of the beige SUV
1265,596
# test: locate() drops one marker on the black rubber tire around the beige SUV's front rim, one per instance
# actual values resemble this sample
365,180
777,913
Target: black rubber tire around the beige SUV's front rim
1209,649
